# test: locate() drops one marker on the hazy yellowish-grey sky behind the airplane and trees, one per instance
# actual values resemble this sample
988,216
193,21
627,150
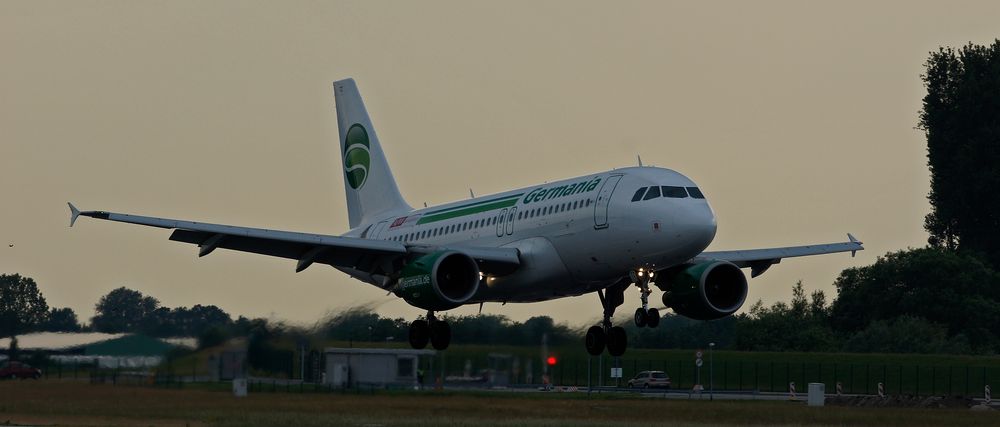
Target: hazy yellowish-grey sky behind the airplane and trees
797,119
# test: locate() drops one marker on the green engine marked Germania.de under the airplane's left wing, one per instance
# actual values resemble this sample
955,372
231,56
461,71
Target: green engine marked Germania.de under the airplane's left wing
439,281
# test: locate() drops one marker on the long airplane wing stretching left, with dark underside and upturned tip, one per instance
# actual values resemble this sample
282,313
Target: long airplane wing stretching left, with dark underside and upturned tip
373,256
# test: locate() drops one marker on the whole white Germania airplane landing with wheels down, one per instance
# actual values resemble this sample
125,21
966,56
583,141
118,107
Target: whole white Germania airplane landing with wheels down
598,233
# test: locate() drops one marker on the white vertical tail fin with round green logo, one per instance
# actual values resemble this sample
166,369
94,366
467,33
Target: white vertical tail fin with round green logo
371,190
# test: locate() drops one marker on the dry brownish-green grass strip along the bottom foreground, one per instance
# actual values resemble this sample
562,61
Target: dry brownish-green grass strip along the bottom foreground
71,403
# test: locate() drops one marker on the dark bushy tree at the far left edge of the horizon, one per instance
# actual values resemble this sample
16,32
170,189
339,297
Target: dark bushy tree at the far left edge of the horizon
22,306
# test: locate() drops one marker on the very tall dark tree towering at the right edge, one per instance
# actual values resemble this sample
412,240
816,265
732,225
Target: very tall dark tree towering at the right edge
959,118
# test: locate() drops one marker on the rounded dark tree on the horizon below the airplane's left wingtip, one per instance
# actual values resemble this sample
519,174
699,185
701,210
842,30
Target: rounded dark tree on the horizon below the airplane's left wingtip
124,310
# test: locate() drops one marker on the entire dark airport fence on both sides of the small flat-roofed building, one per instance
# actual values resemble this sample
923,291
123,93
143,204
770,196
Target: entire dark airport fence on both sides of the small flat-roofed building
472,372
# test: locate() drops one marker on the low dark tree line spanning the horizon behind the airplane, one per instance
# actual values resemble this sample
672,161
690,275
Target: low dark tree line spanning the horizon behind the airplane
928,300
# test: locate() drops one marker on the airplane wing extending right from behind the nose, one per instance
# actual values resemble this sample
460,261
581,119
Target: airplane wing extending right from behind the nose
759,260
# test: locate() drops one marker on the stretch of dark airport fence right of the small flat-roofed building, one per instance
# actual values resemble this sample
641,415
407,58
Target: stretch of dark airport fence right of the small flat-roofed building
853,378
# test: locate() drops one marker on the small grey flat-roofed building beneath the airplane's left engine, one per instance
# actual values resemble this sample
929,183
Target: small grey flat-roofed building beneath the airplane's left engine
383,367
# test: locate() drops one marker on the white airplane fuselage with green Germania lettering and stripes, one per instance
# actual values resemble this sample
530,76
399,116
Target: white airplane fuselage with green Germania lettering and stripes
574,236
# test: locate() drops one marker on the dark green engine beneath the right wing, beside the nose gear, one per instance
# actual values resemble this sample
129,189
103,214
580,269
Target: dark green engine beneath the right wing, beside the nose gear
706,291
